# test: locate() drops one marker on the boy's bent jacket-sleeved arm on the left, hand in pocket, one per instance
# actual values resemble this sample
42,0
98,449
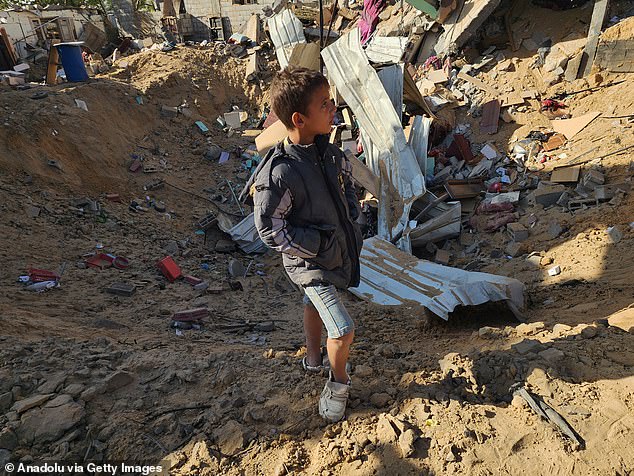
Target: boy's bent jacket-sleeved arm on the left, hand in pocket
272,204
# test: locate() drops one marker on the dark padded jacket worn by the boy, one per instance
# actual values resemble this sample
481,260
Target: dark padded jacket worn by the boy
305,206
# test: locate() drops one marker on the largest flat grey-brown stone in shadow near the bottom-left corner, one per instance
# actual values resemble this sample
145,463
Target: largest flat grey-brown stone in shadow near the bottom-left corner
44,425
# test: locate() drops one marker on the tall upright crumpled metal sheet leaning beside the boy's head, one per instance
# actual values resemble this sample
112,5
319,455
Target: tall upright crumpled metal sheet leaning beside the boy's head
361,88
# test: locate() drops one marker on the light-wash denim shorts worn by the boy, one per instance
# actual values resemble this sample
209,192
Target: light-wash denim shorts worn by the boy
327,302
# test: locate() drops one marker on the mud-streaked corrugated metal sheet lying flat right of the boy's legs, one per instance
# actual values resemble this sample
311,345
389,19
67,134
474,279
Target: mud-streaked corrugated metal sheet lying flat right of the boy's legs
392,277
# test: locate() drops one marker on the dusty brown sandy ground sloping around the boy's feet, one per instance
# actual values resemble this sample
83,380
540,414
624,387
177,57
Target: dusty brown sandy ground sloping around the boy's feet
90,376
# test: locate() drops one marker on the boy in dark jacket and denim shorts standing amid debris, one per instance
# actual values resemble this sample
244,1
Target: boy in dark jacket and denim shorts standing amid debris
305,207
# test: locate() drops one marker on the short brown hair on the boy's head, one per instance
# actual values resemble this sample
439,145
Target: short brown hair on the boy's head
292,90
